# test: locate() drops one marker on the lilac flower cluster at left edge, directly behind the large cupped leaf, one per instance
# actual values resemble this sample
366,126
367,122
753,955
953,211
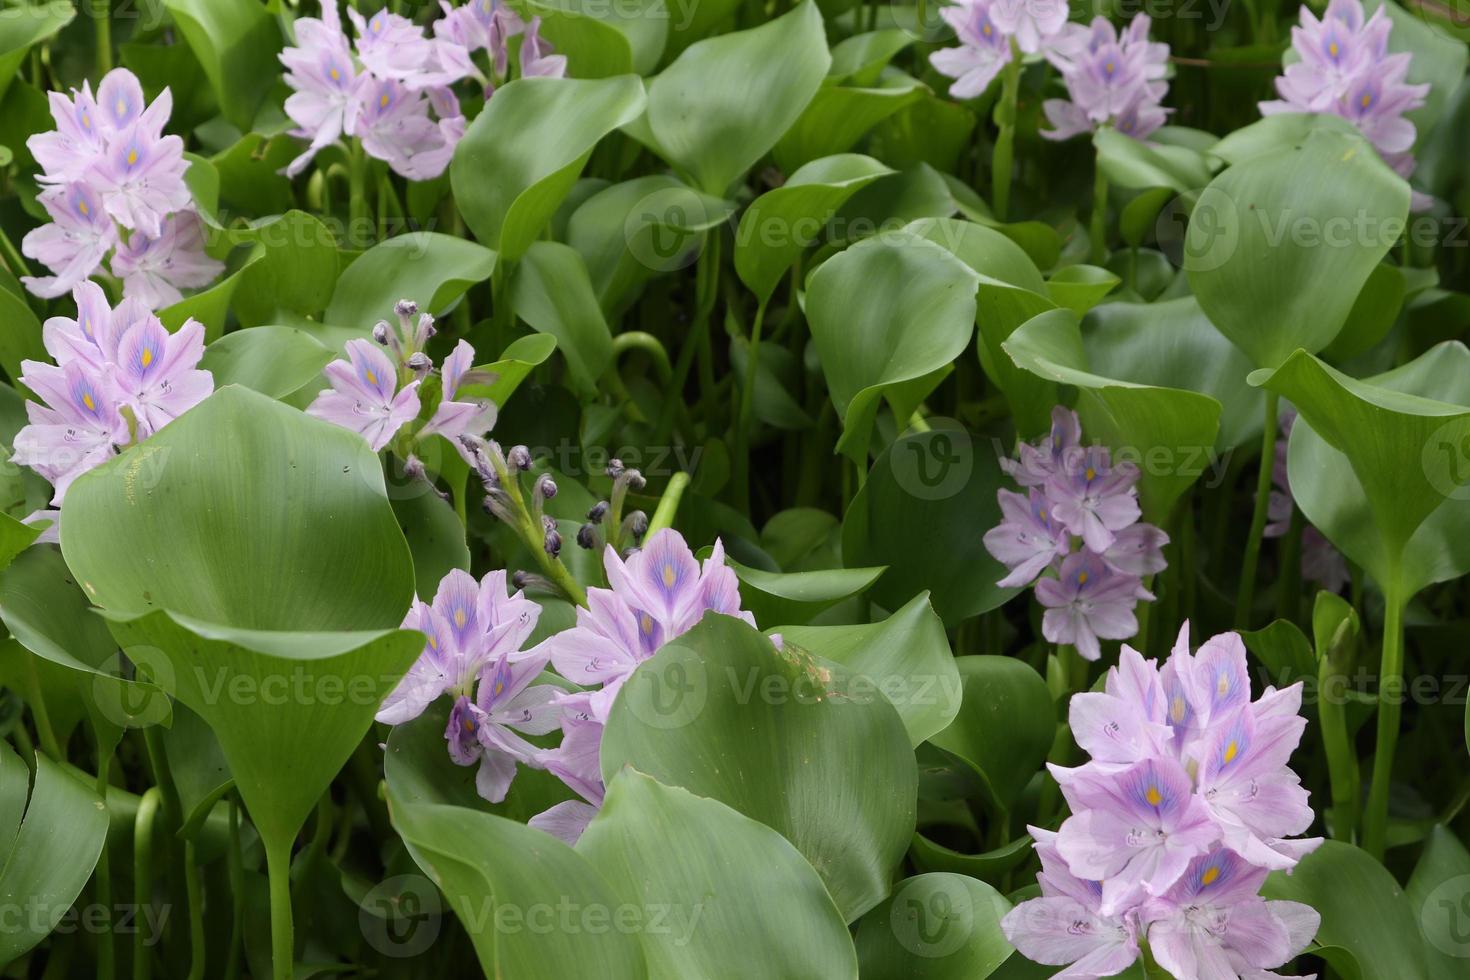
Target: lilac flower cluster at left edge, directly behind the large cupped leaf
120,377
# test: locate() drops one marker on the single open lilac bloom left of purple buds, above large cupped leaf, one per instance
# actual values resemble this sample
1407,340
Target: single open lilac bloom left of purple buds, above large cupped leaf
367,396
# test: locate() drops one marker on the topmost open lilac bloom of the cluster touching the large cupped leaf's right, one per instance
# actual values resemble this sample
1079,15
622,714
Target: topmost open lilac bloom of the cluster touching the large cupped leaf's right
470,627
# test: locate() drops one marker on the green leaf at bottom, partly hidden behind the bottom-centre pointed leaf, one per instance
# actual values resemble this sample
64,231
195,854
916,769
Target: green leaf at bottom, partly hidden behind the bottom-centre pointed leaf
506,884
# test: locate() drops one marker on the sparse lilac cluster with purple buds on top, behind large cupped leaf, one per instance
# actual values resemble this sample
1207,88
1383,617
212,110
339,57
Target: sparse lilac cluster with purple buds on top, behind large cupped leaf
377,396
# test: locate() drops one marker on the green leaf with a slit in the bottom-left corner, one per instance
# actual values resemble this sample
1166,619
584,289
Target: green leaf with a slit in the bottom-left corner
51,854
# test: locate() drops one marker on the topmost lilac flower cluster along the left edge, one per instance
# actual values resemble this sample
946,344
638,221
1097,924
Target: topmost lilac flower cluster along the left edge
114,183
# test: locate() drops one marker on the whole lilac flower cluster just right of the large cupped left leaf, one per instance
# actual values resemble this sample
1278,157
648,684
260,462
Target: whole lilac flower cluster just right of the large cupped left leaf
474,634
